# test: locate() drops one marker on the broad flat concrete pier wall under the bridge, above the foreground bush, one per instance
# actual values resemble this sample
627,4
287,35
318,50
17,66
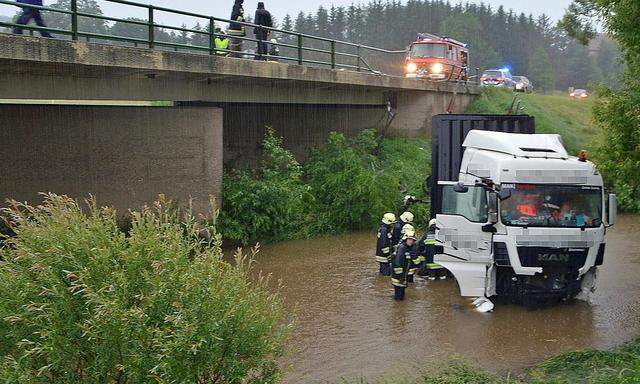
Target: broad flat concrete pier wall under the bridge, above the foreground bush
125,156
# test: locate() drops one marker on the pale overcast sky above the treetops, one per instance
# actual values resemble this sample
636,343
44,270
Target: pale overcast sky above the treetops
222,8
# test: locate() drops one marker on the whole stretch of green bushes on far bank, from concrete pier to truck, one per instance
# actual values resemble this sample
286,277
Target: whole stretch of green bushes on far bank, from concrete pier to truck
347,184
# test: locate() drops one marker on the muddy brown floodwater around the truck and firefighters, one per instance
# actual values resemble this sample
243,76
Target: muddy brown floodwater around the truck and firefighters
348,326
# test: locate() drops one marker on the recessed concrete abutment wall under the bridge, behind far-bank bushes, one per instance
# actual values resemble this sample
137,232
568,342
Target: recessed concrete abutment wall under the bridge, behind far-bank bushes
305,127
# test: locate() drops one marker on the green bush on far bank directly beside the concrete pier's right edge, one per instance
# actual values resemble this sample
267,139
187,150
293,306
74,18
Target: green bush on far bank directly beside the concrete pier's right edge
268,204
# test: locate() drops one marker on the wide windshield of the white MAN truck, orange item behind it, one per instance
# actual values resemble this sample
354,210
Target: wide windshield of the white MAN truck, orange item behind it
539,205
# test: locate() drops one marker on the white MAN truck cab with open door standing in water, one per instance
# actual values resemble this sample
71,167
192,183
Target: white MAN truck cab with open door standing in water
525,220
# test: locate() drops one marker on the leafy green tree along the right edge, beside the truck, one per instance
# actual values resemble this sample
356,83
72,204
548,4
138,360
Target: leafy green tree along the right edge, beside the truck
616,112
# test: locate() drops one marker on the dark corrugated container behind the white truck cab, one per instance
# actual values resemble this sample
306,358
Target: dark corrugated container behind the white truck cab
447,135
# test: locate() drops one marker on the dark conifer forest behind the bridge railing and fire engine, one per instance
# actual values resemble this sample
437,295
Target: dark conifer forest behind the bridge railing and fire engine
531,46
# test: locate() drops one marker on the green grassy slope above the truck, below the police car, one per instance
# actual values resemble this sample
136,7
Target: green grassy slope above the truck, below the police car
557,113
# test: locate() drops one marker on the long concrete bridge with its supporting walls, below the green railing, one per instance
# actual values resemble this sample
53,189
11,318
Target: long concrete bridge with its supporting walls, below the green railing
128,123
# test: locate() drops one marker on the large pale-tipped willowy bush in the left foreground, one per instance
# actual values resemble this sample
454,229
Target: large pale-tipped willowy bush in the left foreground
80,302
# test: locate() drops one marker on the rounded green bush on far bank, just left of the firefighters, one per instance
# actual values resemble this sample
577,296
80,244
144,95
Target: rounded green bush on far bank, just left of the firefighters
350,188
